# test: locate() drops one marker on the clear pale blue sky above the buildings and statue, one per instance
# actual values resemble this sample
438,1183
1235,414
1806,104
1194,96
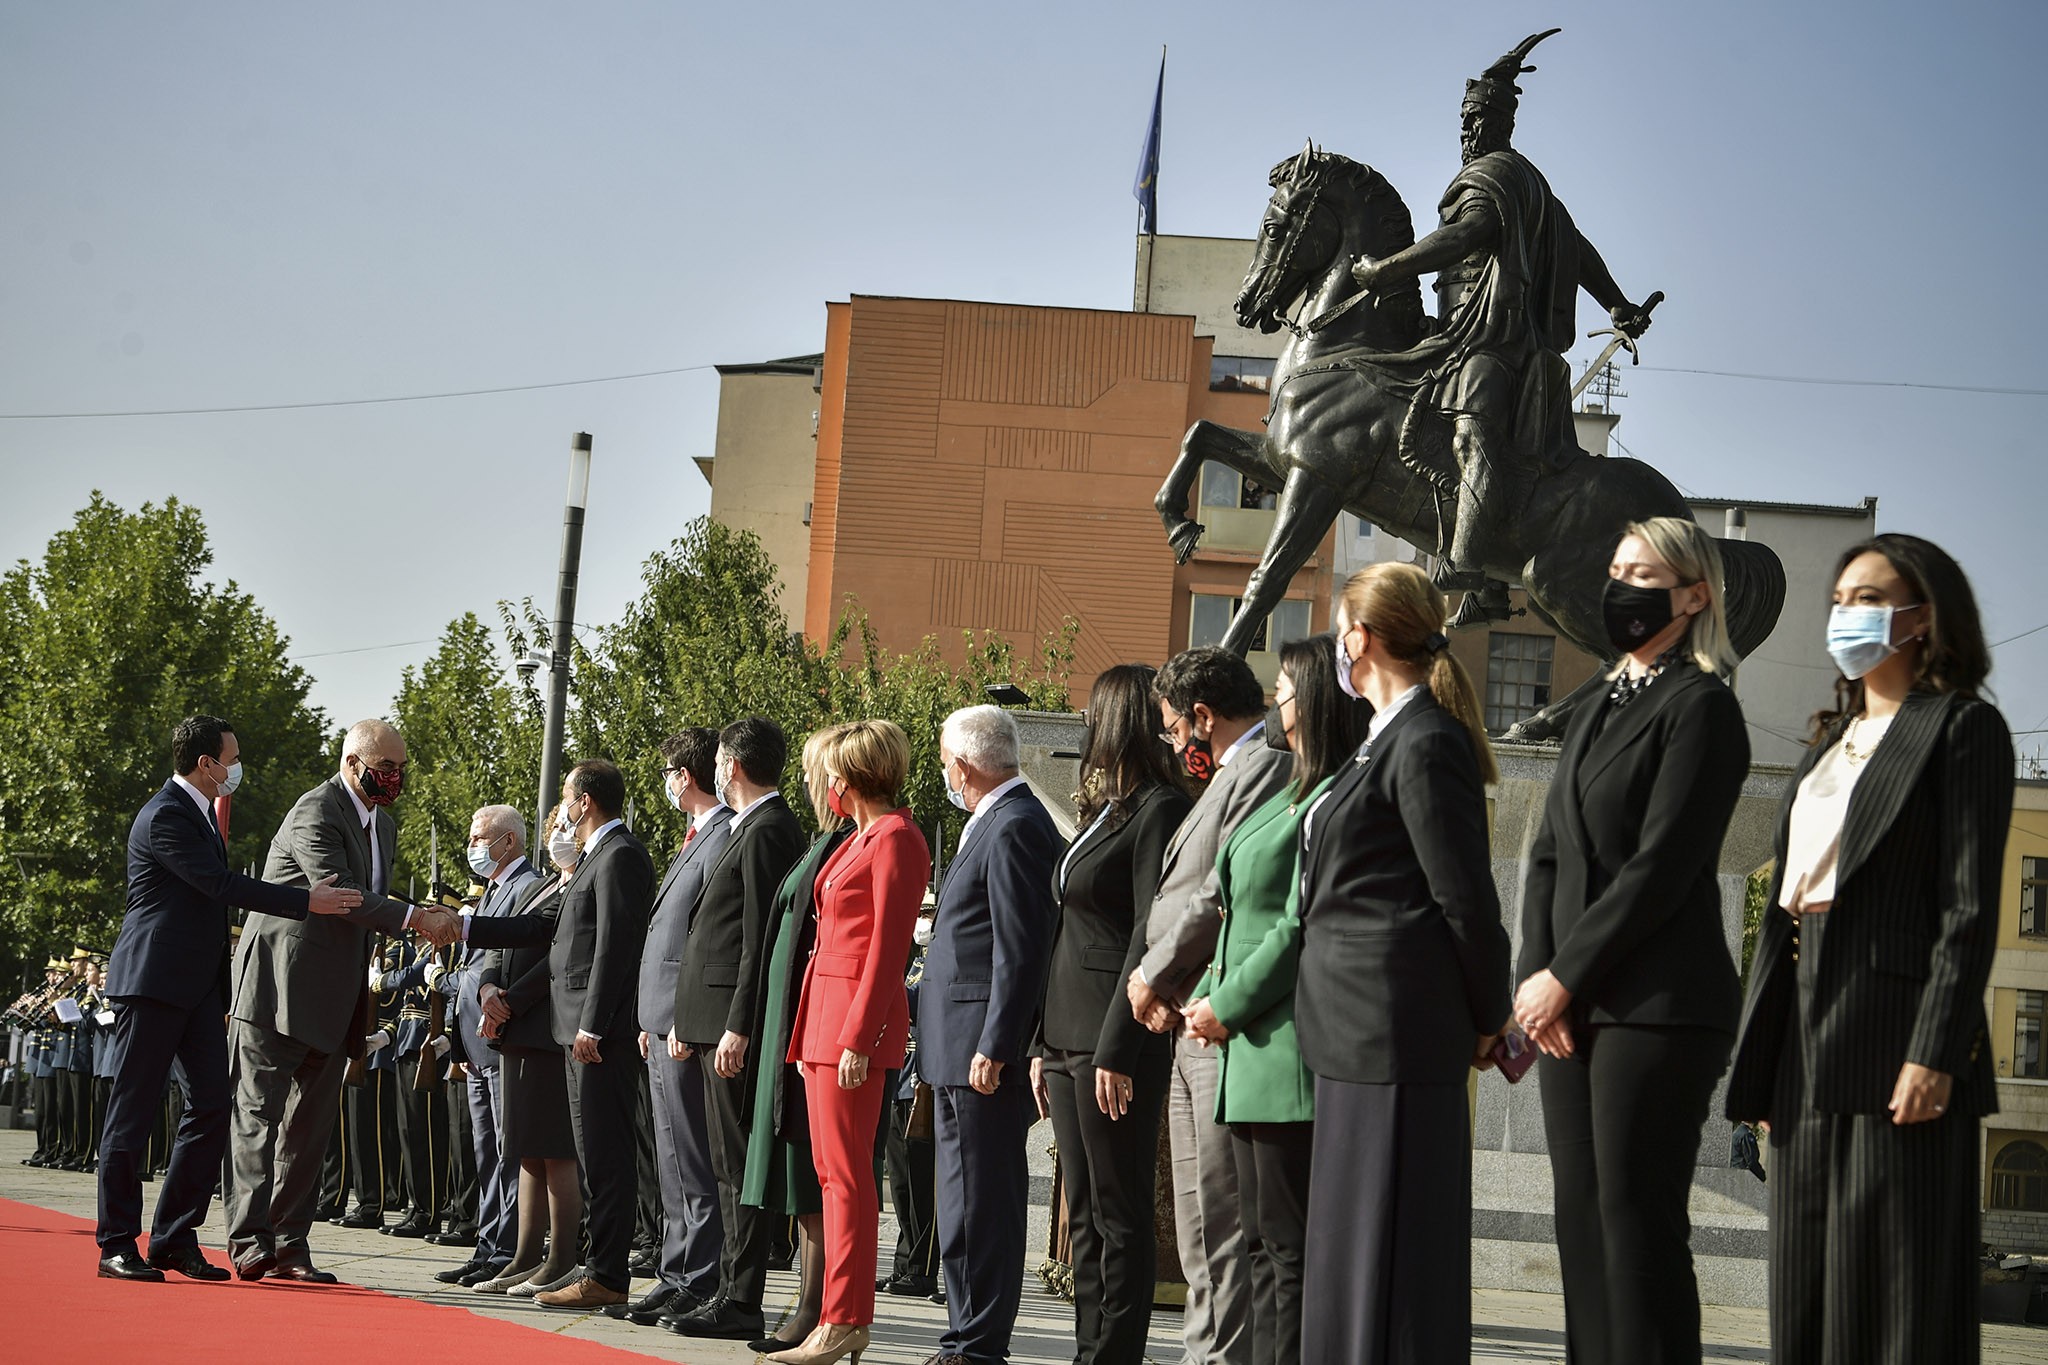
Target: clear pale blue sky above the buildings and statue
245,204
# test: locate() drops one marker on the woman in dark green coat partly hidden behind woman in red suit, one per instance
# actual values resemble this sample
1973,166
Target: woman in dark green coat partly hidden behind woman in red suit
781,1176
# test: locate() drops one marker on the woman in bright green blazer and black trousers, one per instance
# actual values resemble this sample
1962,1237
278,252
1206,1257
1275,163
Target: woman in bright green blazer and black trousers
1265,1092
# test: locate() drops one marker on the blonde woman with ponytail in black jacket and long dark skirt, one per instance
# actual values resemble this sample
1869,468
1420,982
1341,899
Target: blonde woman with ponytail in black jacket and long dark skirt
1402,987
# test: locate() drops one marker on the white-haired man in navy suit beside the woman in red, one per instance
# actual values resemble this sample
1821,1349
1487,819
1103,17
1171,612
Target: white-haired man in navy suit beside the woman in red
978,1006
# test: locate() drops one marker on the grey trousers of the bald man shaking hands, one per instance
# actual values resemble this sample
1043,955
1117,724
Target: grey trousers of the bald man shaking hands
286,1104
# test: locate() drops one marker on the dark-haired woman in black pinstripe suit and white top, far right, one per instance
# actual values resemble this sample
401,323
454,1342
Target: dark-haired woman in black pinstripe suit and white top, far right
1863,1039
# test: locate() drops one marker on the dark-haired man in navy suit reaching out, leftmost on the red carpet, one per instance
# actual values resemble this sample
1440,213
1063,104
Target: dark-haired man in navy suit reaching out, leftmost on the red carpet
169,983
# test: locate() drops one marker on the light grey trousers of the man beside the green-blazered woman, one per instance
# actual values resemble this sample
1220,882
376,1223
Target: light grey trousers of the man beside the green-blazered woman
1218,1321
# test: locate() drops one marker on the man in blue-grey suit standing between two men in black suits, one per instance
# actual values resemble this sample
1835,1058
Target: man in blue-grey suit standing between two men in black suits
691,1225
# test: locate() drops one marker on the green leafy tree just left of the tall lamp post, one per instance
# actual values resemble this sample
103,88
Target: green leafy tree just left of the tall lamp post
472,740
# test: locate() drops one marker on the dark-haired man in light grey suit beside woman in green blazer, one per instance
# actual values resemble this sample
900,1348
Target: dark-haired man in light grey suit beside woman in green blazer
1213,709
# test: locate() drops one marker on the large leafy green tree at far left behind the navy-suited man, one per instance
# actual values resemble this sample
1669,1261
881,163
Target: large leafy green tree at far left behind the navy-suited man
105,646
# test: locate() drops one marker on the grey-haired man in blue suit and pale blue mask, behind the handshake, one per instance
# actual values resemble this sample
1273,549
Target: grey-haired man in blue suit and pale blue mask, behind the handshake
499,858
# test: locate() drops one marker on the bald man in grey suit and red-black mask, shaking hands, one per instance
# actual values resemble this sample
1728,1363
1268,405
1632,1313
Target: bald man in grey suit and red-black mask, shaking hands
298,1002
